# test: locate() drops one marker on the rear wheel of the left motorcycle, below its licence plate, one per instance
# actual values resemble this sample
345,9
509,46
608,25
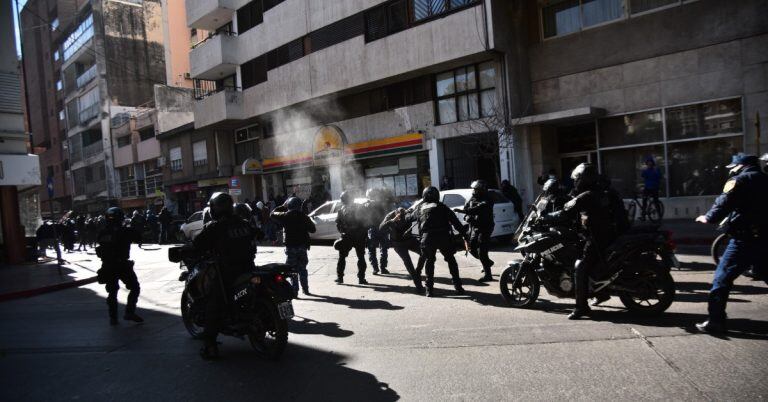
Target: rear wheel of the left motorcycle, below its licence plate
269,335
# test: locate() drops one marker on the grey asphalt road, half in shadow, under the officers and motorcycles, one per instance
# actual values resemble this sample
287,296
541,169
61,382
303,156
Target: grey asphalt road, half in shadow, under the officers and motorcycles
383,342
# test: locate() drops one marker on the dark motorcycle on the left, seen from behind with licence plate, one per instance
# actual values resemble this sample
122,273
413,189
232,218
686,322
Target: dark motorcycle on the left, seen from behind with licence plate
258,305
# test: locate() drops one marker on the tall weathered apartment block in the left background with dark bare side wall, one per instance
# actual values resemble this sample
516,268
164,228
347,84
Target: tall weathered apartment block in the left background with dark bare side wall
93,59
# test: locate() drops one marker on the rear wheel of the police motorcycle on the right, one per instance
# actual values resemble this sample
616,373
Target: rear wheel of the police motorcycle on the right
656,283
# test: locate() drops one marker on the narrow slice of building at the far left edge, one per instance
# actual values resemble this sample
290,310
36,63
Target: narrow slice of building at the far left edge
19,171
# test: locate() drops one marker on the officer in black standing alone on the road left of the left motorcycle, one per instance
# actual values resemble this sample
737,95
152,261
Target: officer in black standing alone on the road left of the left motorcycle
114,249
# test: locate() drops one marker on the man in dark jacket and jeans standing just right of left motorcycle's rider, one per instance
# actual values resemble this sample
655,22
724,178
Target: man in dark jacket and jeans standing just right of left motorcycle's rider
296,229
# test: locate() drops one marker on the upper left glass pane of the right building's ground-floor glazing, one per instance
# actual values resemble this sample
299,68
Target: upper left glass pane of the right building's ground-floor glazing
636,128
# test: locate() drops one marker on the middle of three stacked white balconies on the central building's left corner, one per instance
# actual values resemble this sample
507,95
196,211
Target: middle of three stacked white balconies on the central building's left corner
214,58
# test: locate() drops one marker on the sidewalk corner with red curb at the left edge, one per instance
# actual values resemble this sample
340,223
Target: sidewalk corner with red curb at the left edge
17,281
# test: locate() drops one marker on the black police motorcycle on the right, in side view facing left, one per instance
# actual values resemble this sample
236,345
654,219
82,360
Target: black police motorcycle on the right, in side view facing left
636,267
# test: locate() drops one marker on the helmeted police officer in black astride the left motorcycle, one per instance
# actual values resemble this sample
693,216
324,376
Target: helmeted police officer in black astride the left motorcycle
230,239
